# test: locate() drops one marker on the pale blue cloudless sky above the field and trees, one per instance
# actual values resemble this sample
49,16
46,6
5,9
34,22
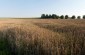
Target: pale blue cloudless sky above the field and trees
34,8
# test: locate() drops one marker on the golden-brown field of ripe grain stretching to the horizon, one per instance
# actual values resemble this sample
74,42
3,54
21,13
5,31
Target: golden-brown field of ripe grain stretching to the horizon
42,37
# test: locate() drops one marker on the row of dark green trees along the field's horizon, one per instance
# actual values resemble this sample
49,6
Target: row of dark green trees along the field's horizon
54,16
